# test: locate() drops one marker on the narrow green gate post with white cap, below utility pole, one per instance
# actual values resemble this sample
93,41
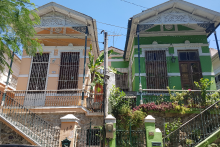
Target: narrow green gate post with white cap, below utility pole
111,119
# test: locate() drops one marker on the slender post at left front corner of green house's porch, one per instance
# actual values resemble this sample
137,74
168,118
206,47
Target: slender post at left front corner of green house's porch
139,66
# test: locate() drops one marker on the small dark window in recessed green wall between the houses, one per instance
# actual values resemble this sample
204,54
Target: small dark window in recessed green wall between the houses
121,81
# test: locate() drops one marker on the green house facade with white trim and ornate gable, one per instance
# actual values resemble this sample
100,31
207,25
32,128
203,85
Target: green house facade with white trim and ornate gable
172,40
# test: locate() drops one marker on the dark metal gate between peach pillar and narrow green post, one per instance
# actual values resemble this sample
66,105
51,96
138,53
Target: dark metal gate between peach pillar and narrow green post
89,136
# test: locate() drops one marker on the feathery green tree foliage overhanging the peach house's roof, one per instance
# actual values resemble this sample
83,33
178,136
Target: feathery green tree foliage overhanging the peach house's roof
17,29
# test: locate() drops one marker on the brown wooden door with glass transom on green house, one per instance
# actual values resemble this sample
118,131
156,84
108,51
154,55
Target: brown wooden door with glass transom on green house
190,69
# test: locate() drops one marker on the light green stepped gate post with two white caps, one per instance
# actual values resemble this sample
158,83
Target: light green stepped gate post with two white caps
153,136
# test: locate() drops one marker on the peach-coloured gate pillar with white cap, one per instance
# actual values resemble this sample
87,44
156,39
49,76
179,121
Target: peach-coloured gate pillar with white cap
68,129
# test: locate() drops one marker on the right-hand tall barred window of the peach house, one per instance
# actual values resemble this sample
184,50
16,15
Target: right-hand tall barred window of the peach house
69,70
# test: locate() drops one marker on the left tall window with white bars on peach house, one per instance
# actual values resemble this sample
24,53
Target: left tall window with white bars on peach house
38,74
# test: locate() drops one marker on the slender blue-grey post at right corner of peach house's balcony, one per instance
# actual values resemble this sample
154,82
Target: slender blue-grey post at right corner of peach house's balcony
84,69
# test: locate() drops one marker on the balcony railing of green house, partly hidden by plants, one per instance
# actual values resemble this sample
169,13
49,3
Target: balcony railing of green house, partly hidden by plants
193,98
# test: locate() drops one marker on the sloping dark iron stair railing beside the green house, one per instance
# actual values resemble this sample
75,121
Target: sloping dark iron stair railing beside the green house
196,129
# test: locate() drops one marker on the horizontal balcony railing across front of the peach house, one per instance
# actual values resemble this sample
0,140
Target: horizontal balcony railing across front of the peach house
54,98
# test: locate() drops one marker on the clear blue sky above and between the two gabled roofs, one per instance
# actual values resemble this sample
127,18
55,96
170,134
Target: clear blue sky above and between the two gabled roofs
117,12
